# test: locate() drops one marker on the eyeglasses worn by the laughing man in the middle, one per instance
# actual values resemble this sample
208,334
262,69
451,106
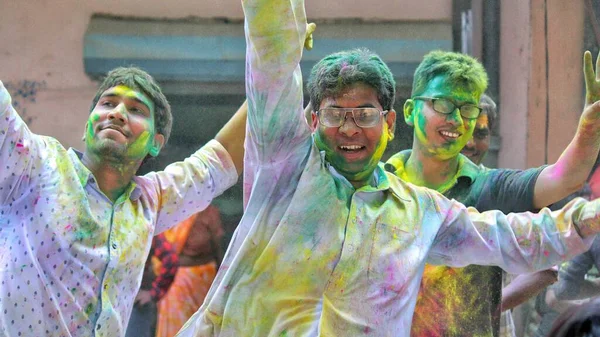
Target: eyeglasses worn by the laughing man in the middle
363,117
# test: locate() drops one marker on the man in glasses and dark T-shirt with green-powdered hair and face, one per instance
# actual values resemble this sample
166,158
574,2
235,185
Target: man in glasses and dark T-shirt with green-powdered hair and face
443,110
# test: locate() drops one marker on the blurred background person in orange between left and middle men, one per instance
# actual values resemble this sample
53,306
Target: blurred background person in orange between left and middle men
197,241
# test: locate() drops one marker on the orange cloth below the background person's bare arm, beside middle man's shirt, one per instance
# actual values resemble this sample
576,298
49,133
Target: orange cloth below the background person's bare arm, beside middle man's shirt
184,298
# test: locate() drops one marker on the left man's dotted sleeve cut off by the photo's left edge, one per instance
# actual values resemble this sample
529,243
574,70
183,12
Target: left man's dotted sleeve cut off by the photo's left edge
19,151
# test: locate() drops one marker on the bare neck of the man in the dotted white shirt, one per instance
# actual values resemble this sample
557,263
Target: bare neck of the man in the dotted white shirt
112,176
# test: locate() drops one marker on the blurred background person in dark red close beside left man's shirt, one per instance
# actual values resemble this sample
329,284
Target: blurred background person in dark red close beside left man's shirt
159,273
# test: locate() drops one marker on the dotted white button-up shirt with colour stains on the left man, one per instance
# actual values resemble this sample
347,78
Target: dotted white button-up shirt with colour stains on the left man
71,261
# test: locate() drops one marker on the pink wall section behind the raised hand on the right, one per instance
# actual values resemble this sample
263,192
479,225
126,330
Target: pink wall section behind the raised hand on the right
527,79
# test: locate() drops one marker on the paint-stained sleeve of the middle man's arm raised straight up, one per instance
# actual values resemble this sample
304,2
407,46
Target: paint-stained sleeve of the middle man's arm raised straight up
277,130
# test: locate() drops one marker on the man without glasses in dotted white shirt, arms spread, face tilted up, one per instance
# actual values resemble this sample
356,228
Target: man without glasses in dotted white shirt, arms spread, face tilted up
76,228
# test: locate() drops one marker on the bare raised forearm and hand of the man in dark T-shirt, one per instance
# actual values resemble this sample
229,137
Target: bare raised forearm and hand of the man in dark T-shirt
572,168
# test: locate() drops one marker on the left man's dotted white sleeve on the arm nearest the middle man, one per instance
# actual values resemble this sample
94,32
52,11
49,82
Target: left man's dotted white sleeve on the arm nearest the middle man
189,186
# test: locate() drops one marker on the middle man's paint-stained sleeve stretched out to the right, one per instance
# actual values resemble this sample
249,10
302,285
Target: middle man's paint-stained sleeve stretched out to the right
517,242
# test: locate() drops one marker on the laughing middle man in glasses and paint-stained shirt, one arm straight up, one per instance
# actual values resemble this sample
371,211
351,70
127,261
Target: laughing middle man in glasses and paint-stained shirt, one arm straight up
330,244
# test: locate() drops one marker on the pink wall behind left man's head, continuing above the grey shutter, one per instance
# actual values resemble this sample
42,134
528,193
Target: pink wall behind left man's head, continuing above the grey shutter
42,41
